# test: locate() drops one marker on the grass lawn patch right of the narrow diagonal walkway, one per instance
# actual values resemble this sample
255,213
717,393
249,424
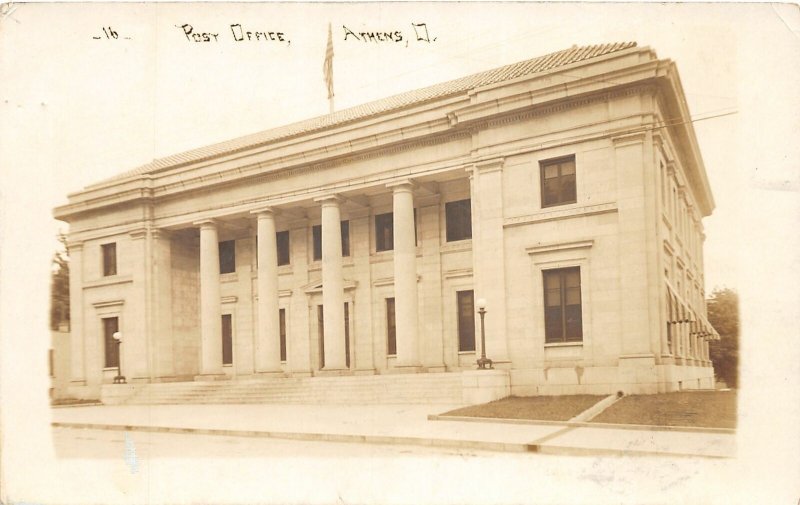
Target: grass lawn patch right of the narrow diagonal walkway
707,409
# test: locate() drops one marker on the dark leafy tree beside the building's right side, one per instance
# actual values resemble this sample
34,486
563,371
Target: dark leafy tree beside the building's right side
723,314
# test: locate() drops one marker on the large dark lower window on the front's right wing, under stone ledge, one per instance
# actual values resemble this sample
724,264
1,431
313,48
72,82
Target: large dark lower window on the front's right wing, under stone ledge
562,311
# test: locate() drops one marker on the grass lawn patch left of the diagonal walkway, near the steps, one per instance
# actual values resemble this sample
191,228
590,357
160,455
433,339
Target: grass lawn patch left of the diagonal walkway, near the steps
539,408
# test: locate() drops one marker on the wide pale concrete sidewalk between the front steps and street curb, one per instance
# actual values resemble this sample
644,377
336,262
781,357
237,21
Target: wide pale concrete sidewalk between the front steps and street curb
394,424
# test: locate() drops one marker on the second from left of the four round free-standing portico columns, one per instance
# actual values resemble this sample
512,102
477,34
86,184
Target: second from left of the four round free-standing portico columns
268,343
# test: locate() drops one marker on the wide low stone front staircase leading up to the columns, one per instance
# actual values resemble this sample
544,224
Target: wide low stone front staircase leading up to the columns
424,388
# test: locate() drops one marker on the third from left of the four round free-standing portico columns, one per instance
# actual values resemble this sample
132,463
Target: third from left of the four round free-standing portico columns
332,284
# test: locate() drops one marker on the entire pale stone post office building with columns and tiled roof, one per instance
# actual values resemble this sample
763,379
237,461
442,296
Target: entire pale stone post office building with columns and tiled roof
630,236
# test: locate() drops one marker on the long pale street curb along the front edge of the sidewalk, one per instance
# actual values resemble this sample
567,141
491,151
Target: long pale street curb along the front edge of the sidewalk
388,440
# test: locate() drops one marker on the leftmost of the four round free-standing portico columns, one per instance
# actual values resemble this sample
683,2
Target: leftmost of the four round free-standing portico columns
210,312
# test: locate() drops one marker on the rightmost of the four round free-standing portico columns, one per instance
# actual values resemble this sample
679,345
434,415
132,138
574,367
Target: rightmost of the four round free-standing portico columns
405,275
